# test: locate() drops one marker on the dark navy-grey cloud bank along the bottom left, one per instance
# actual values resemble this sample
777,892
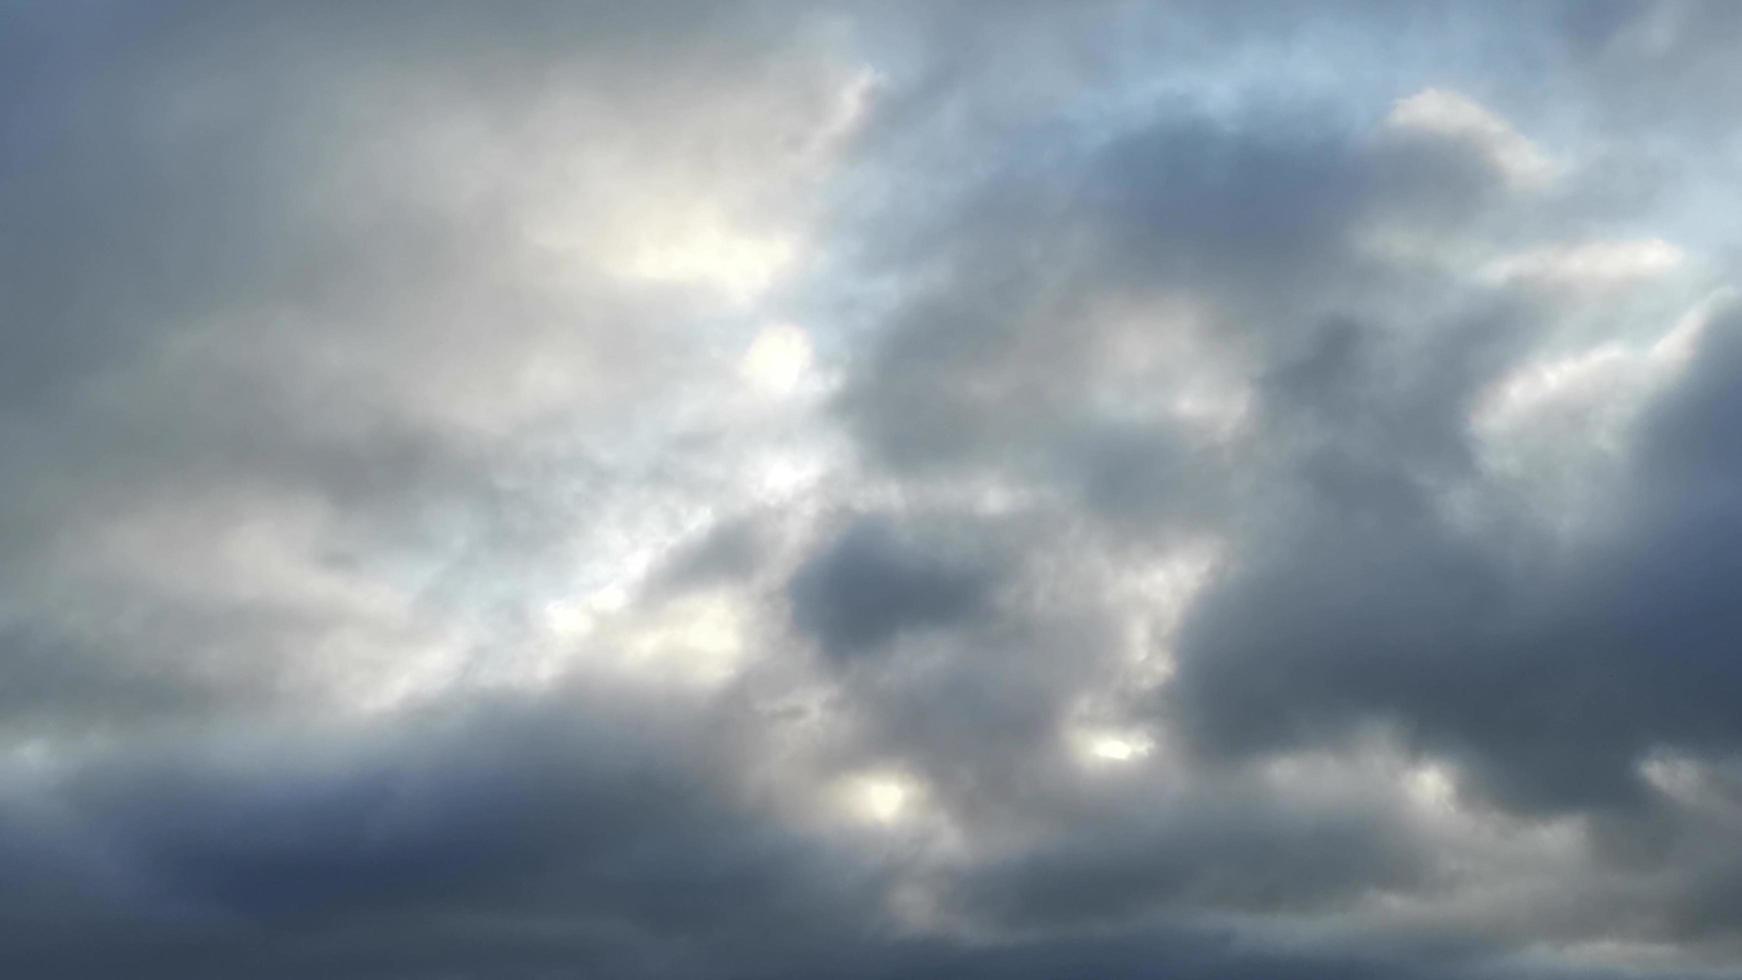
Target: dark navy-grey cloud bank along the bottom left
461,829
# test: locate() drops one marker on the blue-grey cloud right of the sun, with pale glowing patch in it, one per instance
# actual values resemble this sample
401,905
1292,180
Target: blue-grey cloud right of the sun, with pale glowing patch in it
1189,246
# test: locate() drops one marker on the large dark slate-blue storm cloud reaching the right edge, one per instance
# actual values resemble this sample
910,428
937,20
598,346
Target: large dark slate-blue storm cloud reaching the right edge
1551,673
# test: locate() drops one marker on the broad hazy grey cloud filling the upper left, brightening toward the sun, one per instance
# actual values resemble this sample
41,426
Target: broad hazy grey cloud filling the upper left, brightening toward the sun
241,292
